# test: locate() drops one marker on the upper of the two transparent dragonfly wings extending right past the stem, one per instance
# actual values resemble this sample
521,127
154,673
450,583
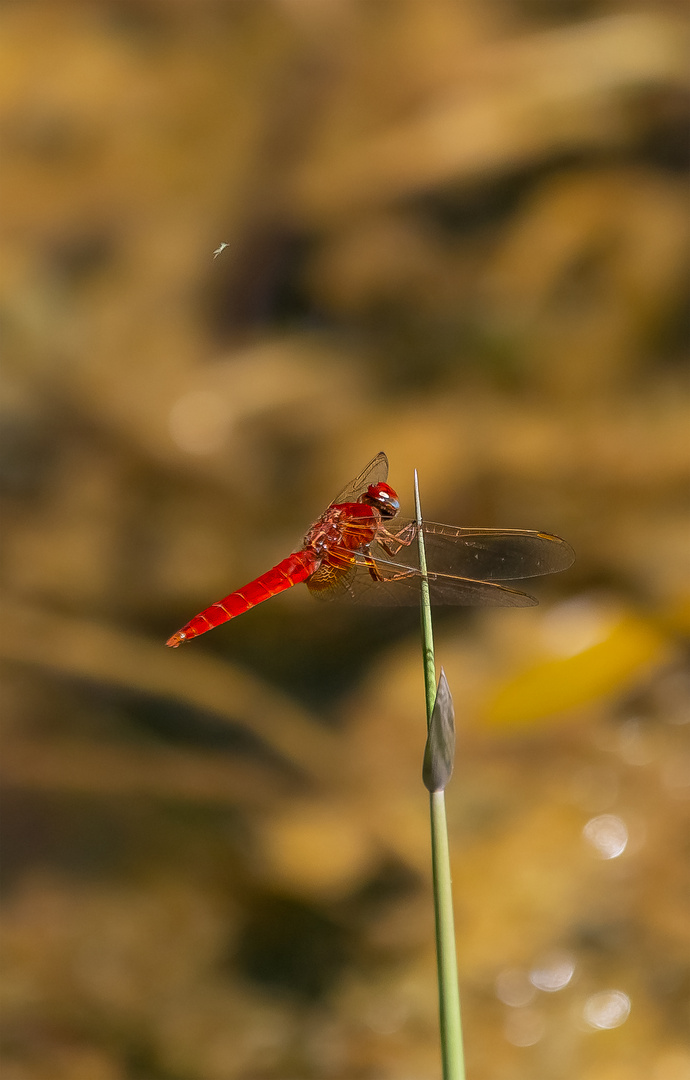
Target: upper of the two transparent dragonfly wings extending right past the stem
485,555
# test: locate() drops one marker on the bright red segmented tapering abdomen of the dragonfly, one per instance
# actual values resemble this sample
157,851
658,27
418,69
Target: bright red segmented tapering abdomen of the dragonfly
297,568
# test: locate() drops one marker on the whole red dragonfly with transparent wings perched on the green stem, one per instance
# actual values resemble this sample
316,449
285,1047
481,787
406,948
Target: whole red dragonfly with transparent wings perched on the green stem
360,544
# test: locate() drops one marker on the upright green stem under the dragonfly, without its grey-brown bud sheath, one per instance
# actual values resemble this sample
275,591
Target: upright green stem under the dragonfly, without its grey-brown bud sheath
449,996
